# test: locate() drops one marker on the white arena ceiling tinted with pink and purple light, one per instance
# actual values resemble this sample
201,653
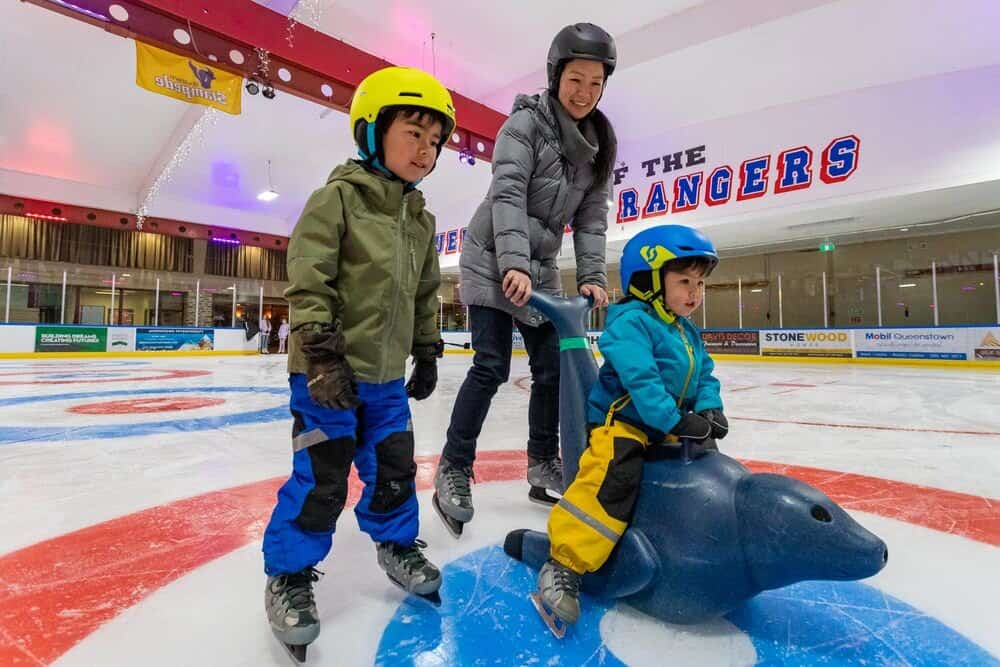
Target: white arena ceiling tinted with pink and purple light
75,128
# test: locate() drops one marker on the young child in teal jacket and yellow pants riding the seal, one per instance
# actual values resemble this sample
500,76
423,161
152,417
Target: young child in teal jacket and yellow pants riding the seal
656,385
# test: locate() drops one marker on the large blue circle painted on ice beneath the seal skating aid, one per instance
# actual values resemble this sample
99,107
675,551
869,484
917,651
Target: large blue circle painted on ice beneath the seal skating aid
487,618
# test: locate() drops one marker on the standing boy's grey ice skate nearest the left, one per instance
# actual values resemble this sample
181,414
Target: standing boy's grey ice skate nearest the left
291,610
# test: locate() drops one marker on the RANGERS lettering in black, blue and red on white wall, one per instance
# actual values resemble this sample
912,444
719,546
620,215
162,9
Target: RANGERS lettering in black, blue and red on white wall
788,170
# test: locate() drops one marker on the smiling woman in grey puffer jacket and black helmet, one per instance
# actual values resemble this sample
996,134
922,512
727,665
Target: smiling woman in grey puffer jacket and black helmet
551,167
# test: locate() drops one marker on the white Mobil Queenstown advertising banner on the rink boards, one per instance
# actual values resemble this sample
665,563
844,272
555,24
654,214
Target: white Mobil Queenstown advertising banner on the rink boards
939,343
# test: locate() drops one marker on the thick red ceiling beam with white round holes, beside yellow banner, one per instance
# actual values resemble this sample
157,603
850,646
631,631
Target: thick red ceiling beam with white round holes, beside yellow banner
300,60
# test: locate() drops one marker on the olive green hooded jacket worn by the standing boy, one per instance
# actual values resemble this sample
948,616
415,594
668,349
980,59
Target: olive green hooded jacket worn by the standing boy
363,254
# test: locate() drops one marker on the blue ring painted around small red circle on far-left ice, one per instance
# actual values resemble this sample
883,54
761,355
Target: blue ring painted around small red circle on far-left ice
15,434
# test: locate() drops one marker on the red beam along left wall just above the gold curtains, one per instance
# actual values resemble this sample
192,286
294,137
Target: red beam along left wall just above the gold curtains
37,209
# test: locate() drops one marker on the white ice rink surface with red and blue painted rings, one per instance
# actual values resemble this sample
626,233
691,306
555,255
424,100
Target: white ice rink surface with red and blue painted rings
135,494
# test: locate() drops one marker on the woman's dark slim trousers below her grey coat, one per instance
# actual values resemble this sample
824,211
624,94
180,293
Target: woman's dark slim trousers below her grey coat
491,339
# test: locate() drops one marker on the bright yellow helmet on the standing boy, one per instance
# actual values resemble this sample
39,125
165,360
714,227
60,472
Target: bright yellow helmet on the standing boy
394,87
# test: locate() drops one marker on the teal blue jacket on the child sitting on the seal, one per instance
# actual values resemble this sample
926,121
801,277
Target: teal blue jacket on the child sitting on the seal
659,365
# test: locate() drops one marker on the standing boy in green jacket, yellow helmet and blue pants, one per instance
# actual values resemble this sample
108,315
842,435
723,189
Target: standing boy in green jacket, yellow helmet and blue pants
363,268
